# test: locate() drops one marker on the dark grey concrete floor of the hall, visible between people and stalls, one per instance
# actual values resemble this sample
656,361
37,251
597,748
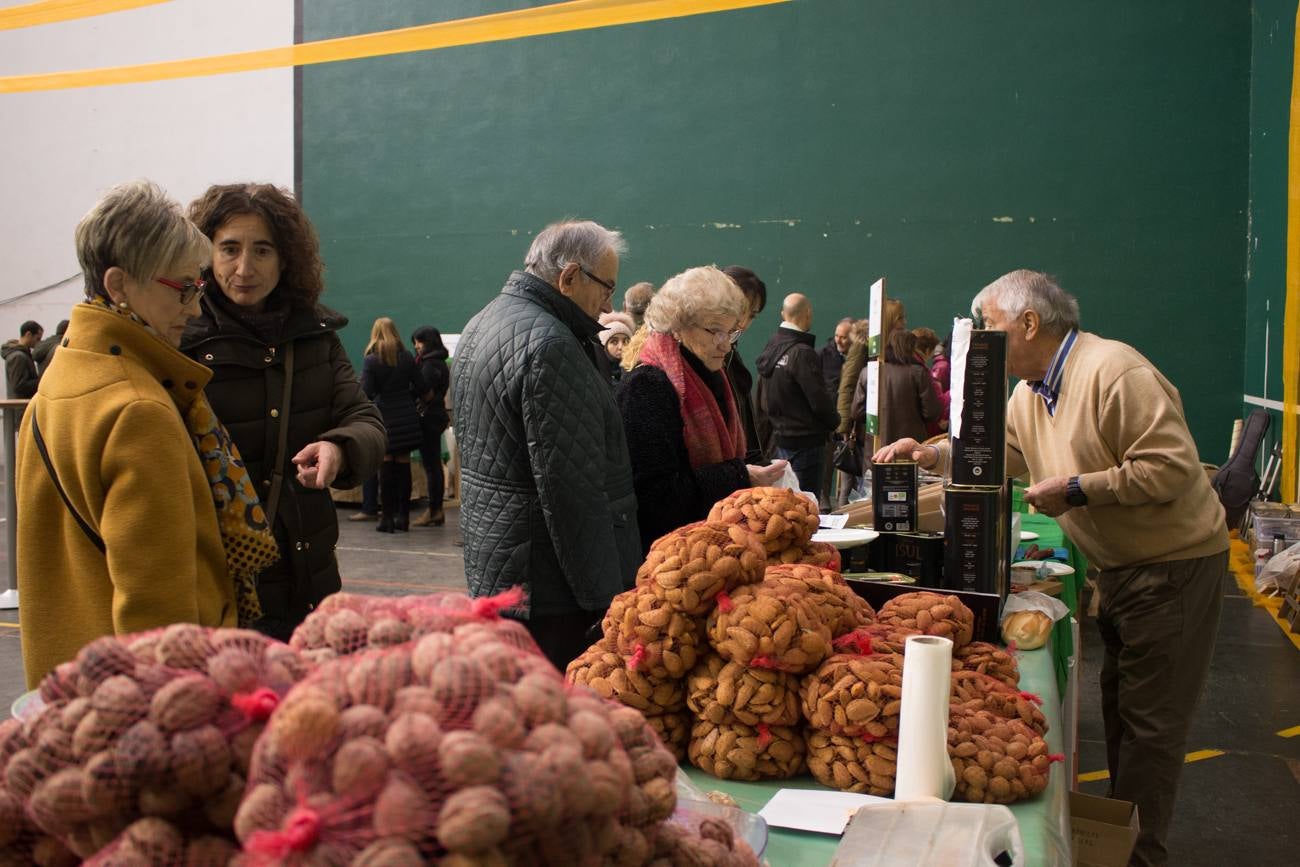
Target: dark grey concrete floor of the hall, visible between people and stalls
1240,808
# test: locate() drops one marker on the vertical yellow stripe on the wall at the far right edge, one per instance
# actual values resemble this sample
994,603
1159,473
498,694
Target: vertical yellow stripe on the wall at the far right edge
1292,319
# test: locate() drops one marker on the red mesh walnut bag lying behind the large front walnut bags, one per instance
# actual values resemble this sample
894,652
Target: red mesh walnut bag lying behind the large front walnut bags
346,623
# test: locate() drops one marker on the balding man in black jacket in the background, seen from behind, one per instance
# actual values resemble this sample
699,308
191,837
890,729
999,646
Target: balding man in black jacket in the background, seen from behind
792,393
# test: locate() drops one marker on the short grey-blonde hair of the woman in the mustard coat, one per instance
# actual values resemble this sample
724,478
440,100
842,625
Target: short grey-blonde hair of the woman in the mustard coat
137,228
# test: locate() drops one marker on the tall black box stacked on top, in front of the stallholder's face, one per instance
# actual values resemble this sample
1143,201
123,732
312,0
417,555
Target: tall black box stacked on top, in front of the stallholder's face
980,456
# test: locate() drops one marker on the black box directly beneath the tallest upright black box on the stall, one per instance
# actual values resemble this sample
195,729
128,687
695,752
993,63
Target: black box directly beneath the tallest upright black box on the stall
976,540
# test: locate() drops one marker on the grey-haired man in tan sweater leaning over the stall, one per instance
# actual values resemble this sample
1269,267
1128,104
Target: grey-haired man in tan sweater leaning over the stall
1103,439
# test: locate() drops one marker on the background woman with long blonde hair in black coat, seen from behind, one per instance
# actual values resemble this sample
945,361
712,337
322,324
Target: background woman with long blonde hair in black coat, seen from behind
393,382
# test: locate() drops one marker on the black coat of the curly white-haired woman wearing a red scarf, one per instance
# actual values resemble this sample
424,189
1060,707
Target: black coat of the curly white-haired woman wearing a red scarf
670,493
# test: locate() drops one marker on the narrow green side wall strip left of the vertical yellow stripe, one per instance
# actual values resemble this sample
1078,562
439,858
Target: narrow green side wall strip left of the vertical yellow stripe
1272,57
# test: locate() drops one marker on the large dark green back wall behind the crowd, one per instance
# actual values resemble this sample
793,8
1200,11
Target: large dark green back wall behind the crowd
822,144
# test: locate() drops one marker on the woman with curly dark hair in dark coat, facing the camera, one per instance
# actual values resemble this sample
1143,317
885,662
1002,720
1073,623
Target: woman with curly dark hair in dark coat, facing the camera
266,262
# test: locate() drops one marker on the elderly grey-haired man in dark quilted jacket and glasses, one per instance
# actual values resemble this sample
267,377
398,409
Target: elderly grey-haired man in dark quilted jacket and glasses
547,483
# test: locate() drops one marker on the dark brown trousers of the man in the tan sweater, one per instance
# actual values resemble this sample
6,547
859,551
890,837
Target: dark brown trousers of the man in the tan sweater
1159,625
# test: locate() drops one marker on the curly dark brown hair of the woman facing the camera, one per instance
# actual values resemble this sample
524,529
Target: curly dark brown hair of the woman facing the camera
302,281
